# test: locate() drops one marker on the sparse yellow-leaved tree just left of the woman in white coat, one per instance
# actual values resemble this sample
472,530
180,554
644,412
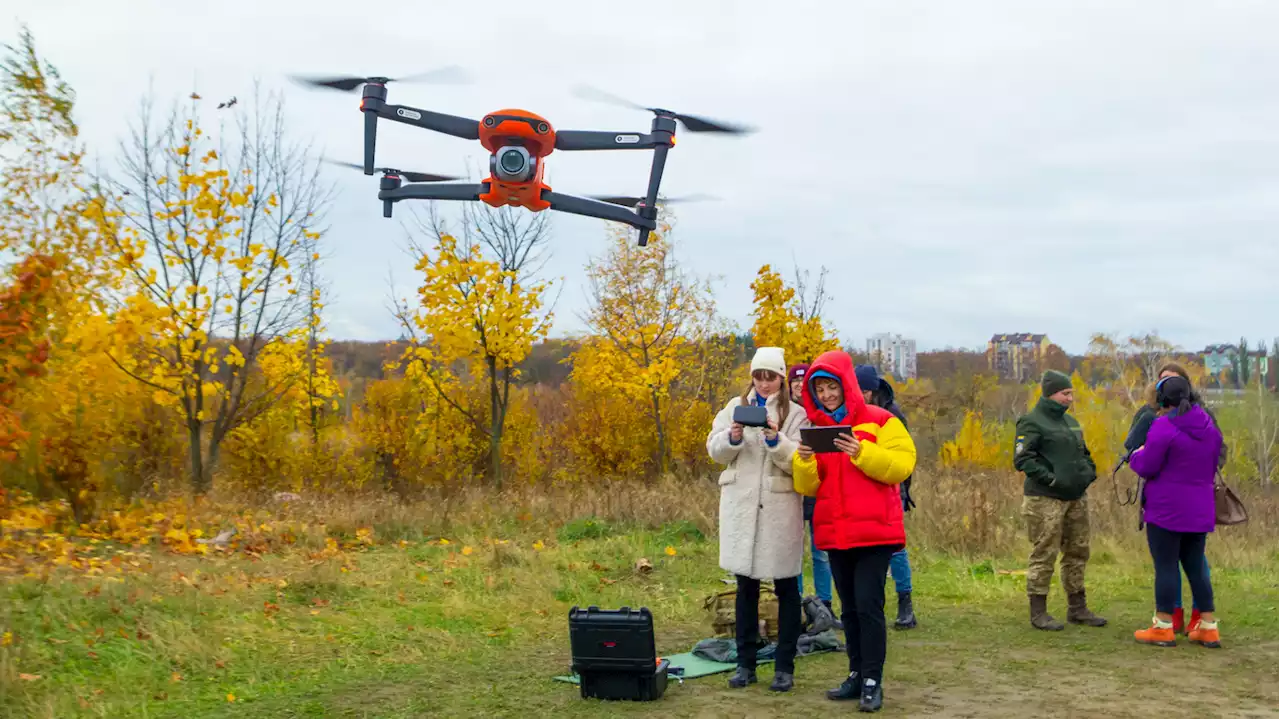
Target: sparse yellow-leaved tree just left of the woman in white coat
648,318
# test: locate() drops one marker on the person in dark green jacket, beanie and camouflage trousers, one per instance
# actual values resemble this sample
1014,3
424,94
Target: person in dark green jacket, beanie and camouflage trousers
1050,450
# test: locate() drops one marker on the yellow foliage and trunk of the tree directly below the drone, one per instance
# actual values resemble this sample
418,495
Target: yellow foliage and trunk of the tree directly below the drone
472,312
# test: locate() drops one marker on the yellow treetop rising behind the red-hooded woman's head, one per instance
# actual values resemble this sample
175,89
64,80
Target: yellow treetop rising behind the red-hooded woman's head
787,318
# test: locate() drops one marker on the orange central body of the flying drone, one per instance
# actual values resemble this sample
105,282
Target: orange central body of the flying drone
518,129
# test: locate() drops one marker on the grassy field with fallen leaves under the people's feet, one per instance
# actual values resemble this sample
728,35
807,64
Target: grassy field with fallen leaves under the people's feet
478,628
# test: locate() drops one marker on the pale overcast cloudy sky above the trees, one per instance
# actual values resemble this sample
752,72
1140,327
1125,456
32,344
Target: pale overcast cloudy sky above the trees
962,168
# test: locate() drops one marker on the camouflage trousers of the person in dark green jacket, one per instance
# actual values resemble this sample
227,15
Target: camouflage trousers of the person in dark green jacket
1055,525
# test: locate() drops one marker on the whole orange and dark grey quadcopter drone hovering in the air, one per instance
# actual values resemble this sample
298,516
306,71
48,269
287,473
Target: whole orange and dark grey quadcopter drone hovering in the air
519,143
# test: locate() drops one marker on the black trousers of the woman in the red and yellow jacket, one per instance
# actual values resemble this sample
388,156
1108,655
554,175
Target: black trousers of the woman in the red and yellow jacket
860,575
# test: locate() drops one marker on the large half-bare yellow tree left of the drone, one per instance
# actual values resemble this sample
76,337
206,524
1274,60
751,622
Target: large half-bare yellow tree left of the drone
211,232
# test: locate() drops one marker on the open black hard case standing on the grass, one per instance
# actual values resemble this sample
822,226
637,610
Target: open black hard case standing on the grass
615,656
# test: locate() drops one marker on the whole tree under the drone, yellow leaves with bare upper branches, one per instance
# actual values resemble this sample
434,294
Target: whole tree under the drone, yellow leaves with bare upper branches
479,313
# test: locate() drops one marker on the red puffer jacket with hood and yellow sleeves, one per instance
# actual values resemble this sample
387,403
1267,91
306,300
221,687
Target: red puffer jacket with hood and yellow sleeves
858,500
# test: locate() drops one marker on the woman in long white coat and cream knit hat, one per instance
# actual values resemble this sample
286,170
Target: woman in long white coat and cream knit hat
761,515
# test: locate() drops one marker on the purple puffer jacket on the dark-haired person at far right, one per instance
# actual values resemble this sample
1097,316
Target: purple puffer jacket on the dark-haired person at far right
1178,461
